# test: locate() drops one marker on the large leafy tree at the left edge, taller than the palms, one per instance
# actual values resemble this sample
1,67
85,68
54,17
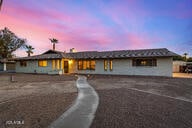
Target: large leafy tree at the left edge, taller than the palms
9,43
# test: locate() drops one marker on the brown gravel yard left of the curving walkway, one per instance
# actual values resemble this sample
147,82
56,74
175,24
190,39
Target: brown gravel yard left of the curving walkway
34,101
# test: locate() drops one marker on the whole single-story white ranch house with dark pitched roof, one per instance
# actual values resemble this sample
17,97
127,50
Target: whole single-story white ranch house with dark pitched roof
150,62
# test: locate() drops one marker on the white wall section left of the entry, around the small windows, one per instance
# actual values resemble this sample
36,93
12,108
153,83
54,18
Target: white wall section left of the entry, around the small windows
32,67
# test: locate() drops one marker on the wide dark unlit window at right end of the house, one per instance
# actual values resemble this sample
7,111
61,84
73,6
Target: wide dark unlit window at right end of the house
144,62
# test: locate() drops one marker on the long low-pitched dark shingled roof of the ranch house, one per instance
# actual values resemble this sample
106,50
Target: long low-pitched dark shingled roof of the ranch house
50,54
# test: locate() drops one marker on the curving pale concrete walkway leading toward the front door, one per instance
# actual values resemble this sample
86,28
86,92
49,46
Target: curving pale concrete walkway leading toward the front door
81,114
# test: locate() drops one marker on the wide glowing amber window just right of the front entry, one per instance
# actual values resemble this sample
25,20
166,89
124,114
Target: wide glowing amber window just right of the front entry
86,65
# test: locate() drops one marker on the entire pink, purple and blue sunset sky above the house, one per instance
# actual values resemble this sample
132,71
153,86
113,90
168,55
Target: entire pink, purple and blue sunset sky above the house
100,25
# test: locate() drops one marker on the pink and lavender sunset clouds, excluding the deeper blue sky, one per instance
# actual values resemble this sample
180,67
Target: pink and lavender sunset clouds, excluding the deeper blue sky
82,31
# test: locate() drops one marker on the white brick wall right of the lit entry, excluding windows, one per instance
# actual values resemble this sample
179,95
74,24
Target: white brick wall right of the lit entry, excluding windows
124,67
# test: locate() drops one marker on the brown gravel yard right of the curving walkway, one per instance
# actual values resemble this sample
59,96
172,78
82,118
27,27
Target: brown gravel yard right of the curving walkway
142,102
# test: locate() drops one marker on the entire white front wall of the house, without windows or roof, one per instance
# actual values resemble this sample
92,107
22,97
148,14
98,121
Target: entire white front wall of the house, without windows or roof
120,67
